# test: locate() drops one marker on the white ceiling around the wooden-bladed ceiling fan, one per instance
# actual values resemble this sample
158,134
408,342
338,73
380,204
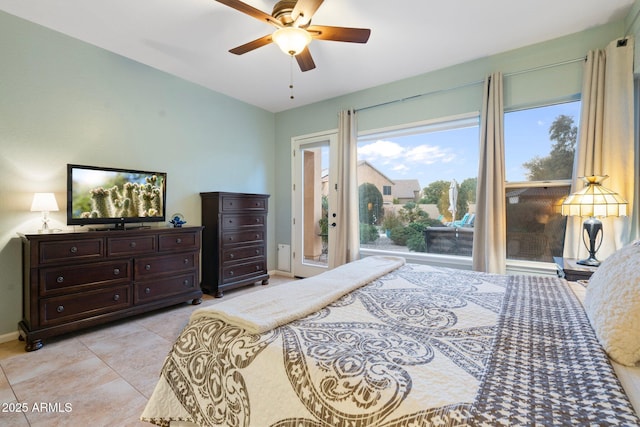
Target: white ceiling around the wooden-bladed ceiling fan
191,39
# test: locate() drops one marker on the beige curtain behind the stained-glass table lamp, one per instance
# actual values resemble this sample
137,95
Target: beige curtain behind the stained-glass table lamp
606,143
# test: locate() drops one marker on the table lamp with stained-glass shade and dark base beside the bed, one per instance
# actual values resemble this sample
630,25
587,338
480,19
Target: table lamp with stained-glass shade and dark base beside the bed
593,201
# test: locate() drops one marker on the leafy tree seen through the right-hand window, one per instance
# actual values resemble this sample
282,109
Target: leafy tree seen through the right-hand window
559,163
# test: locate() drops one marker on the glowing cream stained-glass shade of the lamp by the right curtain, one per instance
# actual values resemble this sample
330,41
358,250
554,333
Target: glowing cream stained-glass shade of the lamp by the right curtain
594,200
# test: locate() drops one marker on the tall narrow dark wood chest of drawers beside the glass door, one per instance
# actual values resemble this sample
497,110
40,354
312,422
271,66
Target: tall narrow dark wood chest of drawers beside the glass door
234,240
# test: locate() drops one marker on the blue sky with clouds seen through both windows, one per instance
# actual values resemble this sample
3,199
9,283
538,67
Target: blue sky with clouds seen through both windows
453,154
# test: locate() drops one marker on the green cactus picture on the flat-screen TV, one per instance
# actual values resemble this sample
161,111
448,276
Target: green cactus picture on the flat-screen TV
116,194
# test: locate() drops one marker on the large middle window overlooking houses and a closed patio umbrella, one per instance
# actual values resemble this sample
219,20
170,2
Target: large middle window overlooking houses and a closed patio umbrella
404,178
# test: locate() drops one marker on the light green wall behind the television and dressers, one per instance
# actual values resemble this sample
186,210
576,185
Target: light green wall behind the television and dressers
63,101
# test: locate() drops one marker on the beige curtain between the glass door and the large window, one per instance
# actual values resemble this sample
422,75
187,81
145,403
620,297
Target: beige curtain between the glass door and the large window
344,244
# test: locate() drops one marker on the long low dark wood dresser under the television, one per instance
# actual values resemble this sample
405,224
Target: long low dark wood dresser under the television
73,281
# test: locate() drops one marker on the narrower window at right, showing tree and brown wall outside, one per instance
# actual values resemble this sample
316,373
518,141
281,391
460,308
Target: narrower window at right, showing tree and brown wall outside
539,150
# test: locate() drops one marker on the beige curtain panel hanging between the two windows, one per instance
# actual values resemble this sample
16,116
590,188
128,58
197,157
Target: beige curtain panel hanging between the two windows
489,240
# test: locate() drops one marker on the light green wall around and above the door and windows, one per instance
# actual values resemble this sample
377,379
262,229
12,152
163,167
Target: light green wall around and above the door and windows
539,85
